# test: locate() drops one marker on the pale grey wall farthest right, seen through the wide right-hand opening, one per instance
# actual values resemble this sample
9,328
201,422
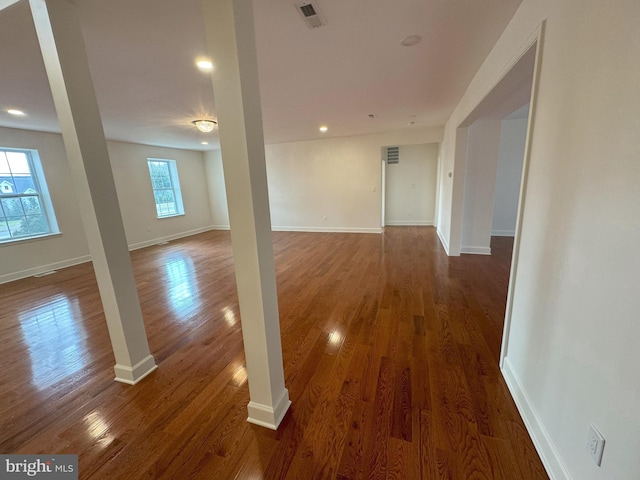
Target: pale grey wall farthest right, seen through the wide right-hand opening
508,177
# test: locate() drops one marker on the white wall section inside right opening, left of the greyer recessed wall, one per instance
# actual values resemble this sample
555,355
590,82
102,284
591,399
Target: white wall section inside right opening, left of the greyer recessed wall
483,139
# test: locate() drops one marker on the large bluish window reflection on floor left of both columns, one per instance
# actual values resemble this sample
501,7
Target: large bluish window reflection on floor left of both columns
56,339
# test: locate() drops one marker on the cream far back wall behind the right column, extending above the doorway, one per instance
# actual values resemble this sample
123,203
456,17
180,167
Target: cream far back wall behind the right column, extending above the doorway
336,178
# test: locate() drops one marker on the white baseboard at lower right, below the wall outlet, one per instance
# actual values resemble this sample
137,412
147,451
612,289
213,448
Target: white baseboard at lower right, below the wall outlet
541,439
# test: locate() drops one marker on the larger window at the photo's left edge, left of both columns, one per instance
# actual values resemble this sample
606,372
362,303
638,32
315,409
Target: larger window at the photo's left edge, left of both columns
25,206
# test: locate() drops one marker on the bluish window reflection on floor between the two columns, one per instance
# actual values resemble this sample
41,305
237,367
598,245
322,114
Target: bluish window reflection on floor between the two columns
182,285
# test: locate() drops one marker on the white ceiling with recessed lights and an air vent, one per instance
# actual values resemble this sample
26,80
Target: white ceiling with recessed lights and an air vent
142,55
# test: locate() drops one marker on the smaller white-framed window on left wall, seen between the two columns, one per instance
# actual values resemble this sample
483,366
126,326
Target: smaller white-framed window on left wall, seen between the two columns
166,187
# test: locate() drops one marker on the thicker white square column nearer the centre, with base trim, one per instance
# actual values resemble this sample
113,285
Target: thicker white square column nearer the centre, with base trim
231,44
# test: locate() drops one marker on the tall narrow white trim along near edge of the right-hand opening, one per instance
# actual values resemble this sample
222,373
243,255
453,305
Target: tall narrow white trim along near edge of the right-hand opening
538,40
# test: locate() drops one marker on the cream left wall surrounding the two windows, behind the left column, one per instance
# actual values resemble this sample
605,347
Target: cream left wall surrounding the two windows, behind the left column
129,163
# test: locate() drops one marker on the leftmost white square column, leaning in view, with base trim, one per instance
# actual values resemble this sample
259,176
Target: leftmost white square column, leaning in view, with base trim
65,60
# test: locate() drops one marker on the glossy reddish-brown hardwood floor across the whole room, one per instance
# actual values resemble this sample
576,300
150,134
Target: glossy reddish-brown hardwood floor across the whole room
390,357
